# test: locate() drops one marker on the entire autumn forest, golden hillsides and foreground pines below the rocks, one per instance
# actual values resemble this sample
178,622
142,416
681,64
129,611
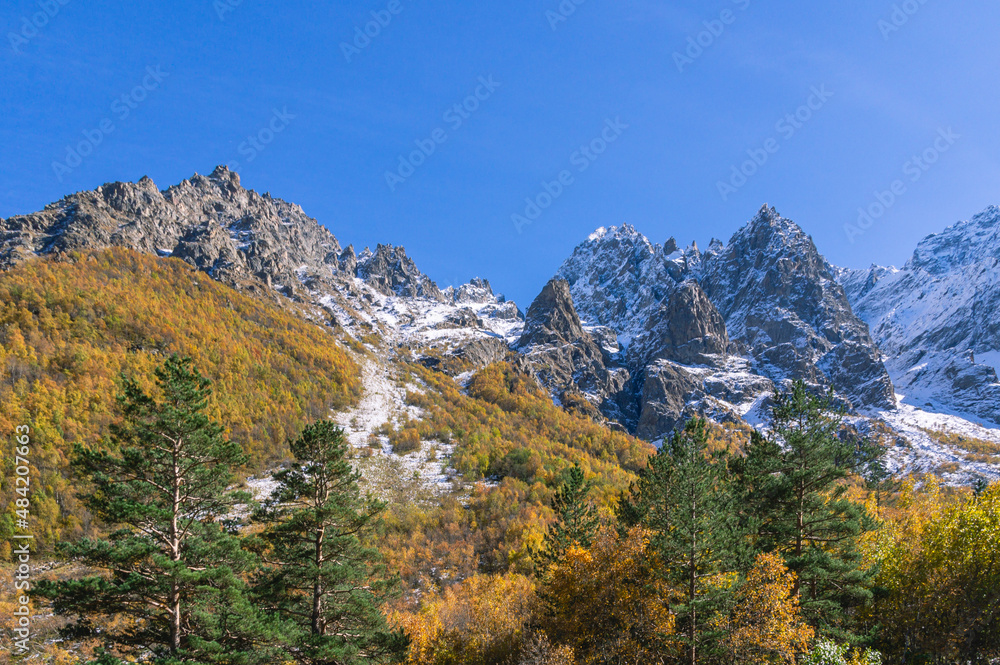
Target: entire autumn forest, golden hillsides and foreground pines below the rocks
153,394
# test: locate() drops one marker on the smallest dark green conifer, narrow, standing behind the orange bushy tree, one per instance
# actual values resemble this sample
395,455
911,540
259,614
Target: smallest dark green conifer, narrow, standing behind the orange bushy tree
576,519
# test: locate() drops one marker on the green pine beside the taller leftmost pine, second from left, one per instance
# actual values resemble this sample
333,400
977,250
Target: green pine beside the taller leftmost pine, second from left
325,577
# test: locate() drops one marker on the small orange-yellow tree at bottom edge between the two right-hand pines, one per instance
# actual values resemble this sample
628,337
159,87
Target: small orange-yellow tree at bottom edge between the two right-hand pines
765,624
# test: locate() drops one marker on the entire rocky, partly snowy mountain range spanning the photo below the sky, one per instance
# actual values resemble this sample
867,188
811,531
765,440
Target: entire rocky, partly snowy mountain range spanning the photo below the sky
642,335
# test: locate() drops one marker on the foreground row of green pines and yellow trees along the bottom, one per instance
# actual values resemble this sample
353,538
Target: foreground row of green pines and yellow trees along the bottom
796,548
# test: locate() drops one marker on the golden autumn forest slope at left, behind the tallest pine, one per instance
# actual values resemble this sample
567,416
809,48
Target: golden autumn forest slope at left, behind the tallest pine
70,327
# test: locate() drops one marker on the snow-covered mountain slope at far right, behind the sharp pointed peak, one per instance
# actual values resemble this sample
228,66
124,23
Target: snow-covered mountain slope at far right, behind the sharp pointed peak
938,318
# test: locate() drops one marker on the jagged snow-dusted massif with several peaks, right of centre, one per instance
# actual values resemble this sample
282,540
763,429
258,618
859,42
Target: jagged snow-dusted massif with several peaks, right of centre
712,332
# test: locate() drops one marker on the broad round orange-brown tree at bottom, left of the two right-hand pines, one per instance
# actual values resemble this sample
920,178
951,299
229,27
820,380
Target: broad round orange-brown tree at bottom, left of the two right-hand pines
609,602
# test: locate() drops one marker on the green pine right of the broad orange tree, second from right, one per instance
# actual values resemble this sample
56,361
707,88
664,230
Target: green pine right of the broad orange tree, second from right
684,498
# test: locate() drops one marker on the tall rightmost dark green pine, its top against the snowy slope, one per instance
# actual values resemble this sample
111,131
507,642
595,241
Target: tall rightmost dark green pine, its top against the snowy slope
793,484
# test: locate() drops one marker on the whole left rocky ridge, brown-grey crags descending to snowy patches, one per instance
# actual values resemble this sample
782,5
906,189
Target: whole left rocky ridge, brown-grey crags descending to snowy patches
263,244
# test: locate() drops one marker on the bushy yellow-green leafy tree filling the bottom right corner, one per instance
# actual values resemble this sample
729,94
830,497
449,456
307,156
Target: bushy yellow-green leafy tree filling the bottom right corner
940,576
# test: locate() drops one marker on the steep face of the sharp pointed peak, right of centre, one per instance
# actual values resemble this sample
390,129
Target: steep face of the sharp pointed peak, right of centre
783,306
